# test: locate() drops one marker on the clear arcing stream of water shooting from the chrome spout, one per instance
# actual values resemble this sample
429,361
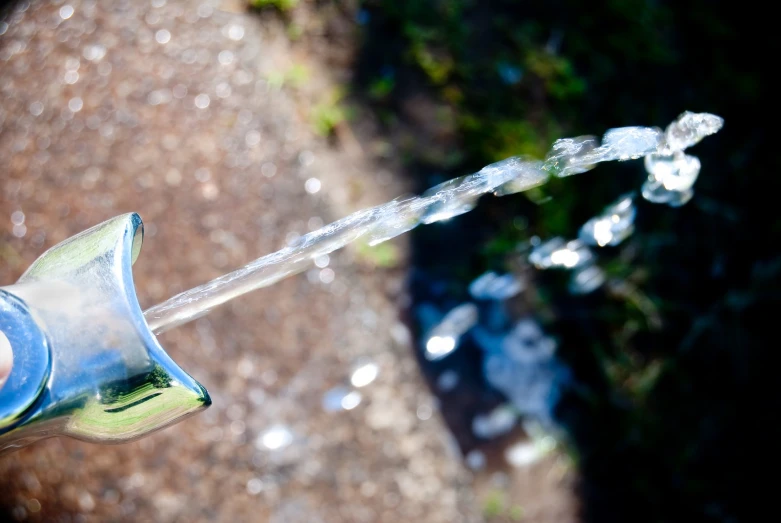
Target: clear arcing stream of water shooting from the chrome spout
378,224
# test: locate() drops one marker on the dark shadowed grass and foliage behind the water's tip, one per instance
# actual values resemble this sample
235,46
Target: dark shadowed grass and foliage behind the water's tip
672,355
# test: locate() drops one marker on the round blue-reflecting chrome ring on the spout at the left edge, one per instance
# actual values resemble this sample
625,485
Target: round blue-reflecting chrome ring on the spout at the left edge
31,365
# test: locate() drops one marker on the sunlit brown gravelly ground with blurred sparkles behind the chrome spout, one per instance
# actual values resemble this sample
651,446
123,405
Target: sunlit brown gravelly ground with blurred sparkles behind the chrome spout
199,118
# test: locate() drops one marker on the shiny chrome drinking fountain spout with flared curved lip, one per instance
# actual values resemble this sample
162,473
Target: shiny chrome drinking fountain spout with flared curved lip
85,363
